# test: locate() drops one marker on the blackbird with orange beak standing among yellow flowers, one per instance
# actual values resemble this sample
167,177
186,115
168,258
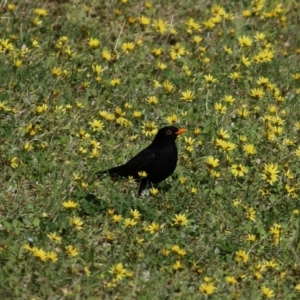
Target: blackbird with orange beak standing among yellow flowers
158,160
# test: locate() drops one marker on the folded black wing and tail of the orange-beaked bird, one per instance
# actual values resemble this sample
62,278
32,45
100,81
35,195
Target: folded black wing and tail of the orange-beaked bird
141,162
